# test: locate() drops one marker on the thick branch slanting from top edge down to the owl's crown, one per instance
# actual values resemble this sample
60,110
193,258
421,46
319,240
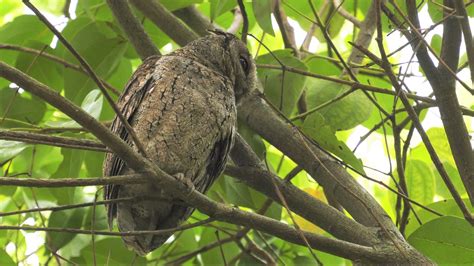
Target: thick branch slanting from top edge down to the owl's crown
166,21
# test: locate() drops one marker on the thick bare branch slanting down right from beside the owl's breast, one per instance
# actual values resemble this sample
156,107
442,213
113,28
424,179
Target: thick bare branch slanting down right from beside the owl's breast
330,174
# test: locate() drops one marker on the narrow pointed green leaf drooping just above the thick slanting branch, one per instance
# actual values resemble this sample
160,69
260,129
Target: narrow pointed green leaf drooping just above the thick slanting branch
316,127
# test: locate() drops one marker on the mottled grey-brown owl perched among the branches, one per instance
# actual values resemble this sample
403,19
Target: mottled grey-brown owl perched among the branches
182,106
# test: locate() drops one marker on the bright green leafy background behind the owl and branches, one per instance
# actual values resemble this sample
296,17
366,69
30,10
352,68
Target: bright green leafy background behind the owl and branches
338,127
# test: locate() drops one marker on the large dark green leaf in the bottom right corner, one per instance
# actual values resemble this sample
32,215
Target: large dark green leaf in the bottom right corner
445,240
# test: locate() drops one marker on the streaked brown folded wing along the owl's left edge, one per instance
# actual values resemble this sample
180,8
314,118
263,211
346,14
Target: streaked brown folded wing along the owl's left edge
128,103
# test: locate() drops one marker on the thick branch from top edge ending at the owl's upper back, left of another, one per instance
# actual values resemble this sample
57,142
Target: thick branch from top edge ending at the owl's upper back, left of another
133,28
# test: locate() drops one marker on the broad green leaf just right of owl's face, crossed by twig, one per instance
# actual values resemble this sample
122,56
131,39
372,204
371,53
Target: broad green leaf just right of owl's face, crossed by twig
283,89
